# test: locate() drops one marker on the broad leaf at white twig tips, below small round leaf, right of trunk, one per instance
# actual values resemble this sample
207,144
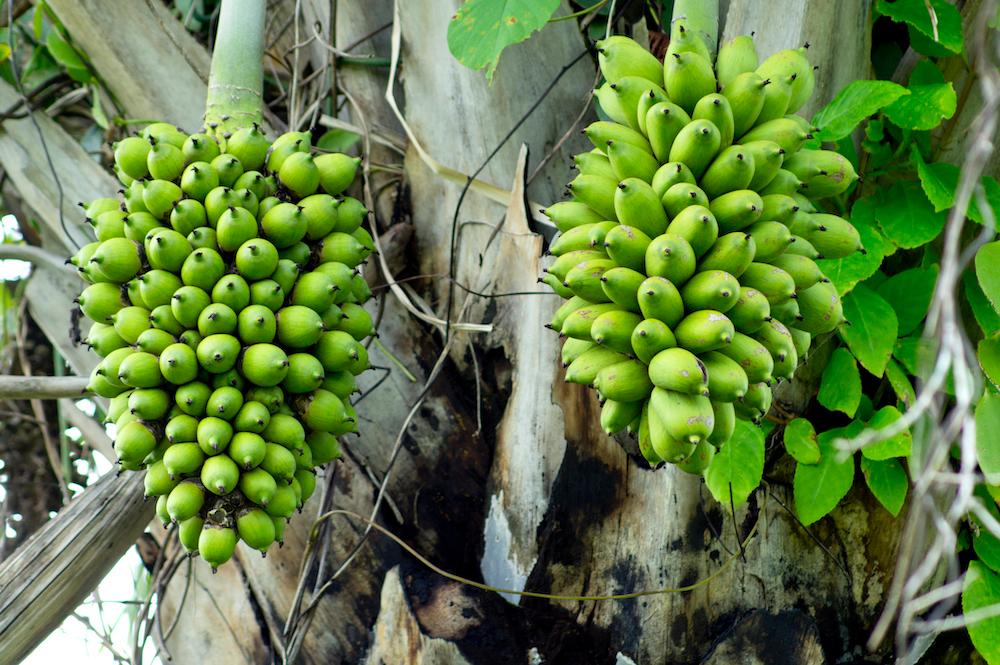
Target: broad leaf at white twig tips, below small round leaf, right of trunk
818,488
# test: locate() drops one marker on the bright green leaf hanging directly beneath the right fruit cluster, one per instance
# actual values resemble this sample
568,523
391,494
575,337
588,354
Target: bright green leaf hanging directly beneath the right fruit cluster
738,466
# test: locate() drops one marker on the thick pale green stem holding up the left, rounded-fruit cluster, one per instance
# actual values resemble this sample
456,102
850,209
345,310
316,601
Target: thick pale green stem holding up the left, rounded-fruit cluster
236,80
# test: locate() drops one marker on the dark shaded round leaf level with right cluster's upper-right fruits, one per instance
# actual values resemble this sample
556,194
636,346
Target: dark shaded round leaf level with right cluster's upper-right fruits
906,216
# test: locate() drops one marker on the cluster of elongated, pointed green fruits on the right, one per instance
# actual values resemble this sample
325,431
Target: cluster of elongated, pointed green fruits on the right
687,250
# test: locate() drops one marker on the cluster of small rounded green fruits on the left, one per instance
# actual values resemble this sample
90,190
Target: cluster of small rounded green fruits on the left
227,306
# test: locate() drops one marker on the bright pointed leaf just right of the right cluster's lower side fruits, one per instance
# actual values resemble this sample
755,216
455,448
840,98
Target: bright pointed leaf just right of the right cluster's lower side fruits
872,330
